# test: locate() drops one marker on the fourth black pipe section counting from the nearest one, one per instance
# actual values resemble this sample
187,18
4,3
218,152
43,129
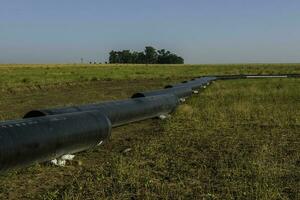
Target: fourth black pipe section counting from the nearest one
193,84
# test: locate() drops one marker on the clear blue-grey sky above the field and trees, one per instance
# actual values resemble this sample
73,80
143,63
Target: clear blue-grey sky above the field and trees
202,31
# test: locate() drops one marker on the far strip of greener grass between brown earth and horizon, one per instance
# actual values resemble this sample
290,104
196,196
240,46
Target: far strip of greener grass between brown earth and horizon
18,75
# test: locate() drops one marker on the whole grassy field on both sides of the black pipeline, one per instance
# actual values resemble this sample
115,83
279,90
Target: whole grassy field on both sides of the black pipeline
235,140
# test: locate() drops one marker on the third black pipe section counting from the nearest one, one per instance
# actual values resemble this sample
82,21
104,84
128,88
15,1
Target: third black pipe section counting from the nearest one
180,92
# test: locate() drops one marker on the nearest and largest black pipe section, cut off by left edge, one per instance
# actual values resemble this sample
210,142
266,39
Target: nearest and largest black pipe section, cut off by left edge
40,139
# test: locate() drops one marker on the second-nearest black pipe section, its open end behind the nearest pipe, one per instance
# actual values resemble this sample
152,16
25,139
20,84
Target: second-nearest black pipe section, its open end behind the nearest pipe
121,112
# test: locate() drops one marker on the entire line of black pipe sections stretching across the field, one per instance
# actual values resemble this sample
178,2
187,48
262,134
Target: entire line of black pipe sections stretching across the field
46,134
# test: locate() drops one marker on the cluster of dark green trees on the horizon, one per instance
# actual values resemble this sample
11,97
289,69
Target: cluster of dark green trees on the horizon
149,56
